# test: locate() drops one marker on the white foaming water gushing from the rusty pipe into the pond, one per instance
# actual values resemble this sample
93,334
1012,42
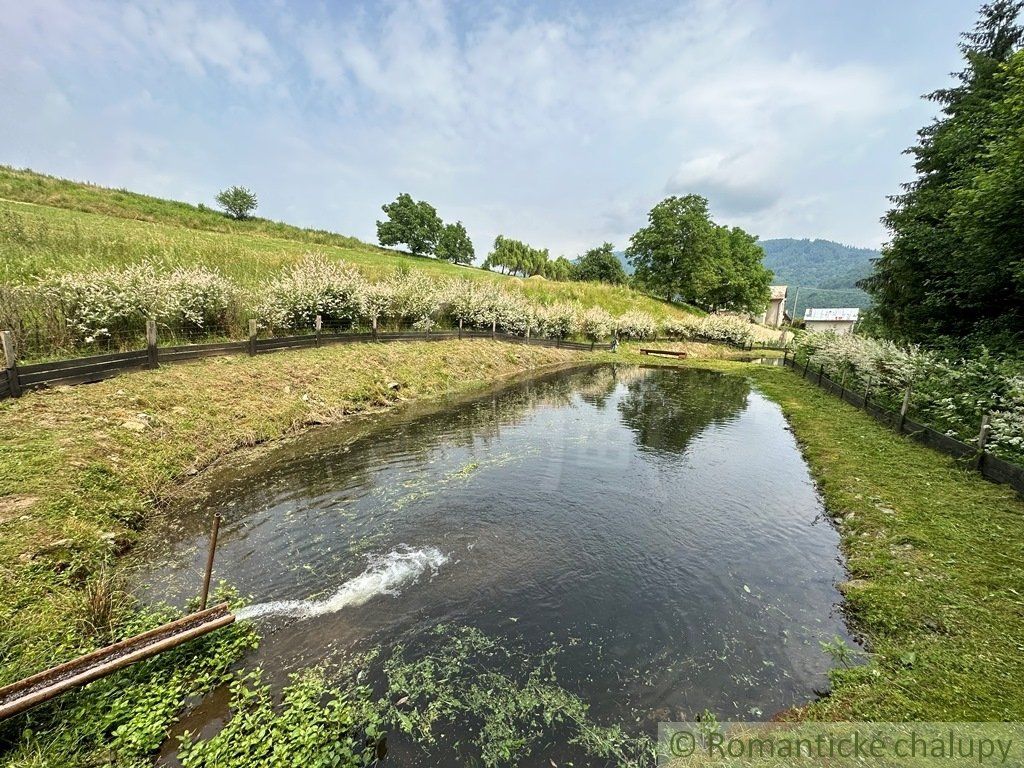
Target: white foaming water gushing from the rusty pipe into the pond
386,575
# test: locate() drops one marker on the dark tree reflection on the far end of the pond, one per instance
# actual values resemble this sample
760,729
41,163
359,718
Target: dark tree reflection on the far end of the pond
668,409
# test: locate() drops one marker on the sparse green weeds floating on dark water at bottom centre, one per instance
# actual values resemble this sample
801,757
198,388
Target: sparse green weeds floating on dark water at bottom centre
514,699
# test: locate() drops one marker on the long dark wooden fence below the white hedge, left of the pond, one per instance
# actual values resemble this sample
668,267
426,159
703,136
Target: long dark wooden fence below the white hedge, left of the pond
16,378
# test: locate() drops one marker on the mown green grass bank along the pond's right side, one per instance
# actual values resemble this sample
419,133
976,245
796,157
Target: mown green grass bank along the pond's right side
936,565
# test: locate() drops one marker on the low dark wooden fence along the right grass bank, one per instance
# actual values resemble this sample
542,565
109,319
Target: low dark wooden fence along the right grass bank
992,467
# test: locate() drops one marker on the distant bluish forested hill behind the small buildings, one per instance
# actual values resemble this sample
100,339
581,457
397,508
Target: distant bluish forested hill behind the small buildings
827,273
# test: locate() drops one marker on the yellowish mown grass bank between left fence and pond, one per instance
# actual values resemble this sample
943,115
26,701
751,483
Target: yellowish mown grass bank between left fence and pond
84,468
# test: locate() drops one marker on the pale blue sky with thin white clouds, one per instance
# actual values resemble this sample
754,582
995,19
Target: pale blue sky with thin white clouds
557,123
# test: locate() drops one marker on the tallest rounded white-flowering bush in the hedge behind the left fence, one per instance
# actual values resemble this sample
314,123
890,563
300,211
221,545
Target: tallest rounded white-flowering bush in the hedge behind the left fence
314,286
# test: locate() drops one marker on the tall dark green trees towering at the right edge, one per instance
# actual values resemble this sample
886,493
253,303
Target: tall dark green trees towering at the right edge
952,270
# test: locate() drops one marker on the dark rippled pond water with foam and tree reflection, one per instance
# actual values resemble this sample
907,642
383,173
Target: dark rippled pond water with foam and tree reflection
660,525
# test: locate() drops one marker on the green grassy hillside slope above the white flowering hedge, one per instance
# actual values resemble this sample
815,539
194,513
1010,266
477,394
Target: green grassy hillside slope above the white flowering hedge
50,225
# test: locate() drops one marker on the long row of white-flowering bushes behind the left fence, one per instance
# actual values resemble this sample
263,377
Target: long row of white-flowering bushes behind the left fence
115,305
